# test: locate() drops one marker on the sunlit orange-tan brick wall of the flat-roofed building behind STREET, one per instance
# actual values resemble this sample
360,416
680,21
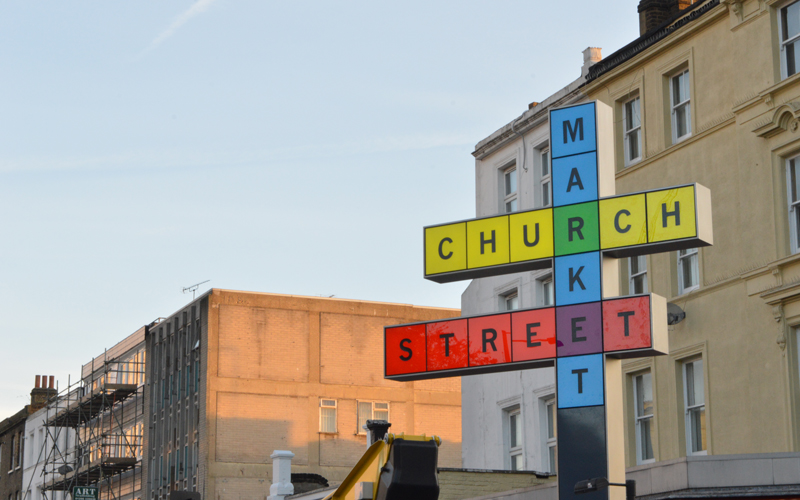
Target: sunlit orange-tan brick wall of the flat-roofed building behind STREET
270,358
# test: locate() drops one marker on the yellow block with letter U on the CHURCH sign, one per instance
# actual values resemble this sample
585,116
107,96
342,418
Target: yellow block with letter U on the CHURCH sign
531,235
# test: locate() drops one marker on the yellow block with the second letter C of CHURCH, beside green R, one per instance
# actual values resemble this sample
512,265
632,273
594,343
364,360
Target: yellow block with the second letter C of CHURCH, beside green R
623,221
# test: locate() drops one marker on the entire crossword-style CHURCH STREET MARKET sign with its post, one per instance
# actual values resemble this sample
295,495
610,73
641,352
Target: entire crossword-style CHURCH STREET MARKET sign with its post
587,332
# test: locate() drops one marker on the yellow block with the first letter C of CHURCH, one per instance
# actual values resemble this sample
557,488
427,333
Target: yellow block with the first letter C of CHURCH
446,248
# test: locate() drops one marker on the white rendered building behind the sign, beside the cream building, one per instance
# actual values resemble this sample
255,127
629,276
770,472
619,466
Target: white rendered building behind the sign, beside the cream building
508,419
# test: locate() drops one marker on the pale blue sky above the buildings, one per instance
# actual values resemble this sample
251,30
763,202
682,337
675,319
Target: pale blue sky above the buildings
289,147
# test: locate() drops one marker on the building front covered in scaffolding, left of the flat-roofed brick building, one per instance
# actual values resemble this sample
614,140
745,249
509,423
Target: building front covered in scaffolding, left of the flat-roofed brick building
95,430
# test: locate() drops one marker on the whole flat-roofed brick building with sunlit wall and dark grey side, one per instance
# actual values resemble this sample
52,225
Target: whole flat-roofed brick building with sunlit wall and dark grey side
233,376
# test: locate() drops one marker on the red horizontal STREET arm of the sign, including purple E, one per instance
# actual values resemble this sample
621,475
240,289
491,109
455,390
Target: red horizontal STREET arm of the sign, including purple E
622,327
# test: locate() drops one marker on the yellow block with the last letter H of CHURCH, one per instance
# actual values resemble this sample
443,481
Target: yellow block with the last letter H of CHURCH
671,214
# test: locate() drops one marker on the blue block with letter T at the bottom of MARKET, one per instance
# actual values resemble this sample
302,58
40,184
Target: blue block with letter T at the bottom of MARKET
580,381
